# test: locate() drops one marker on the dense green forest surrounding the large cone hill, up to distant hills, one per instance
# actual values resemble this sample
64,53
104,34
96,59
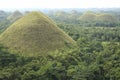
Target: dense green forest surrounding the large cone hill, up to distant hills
96,57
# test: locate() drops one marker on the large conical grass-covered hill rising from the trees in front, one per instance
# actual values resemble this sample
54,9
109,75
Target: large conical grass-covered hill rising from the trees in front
34,33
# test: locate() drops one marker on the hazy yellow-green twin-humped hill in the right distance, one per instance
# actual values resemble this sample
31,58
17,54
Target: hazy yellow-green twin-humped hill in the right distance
90,18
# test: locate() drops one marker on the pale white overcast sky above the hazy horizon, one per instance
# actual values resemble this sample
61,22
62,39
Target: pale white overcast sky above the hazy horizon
22,4
